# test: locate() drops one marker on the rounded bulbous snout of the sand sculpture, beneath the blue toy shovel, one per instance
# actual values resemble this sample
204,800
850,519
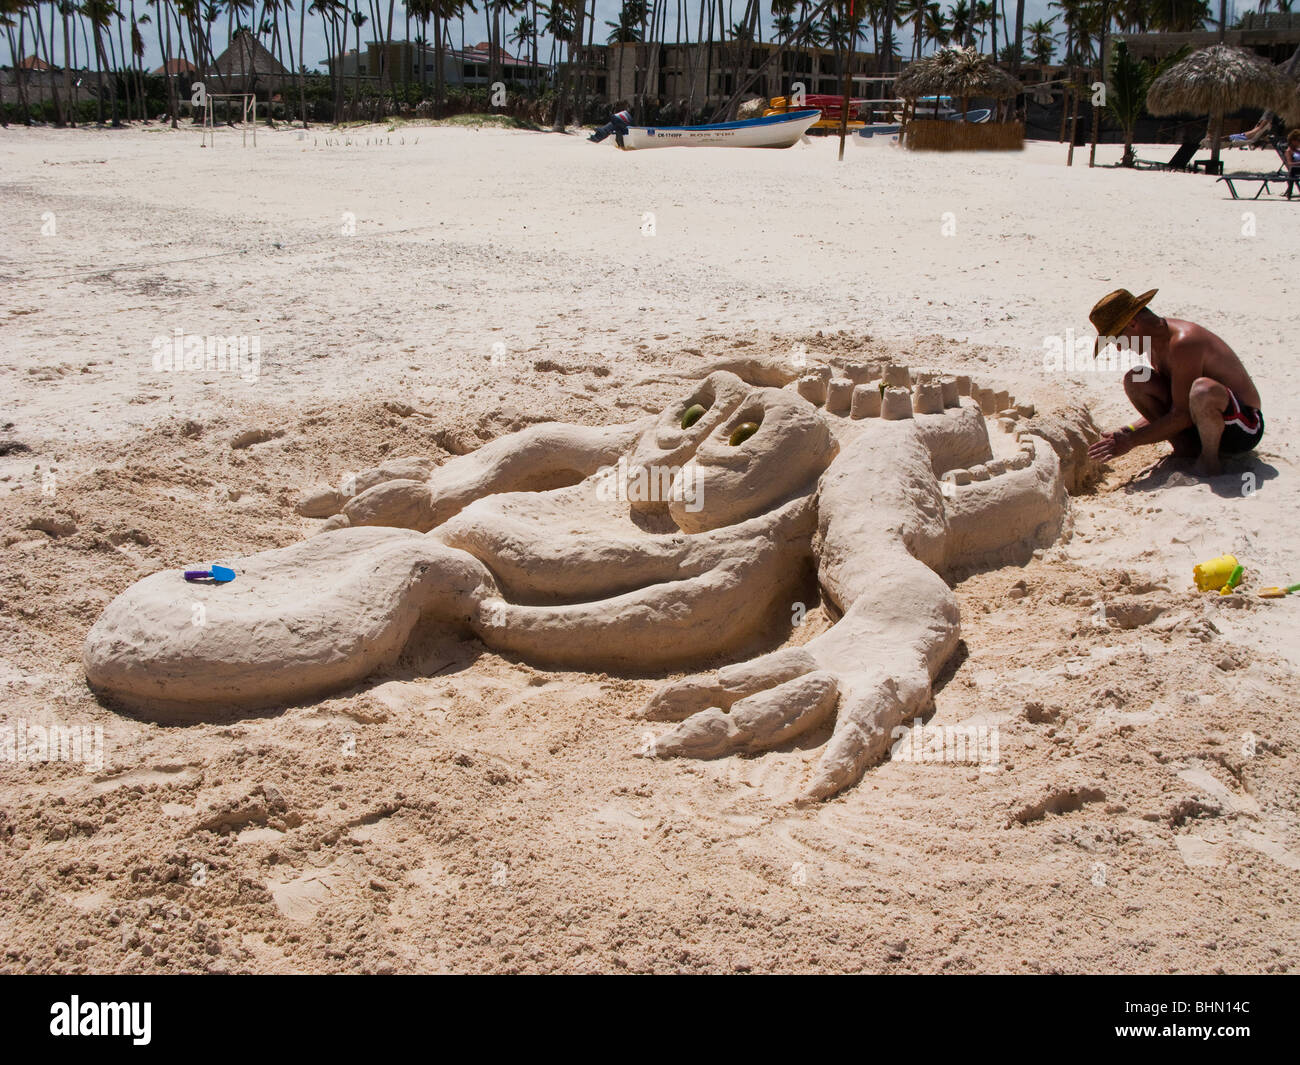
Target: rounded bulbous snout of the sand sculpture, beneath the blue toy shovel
296,624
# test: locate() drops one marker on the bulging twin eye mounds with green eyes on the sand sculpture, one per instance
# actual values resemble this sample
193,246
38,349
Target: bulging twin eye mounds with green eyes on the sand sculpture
726,452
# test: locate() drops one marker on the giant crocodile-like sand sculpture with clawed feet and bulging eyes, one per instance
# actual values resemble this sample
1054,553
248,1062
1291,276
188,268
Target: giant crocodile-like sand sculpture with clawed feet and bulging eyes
544,544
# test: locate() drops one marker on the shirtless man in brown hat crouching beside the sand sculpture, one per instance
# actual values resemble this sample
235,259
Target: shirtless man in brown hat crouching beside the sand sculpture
1197,393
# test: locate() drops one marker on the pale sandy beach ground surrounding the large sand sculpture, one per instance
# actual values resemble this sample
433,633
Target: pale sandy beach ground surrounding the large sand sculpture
422,291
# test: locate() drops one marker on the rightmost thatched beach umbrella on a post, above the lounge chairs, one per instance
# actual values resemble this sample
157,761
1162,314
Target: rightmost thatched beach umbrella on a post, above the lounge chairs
1217,81
